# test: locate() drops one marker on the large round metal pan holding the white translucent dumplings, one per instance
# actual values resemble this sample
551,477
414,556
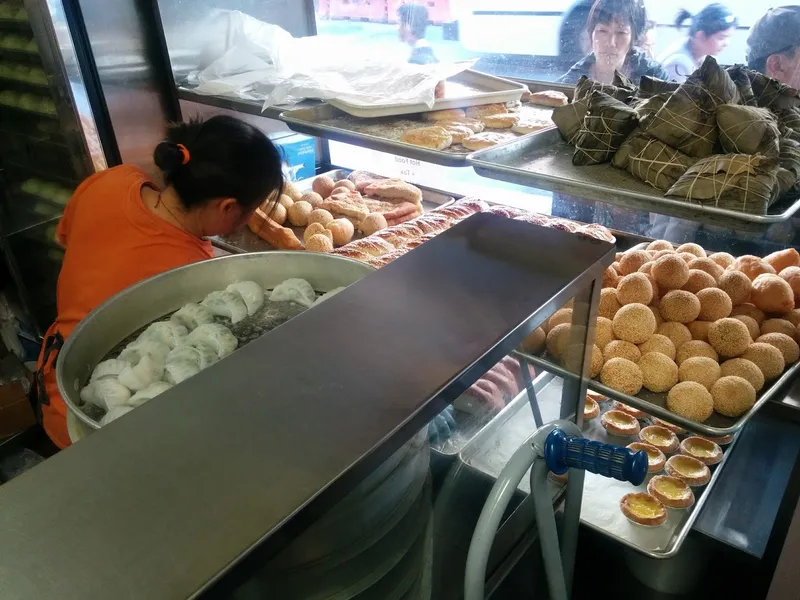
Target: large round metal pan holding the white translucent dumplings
152,299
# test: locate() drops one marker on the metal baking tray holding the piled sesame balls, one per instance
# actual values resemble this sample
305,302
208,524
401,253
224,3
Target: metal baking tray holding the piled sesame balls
655,404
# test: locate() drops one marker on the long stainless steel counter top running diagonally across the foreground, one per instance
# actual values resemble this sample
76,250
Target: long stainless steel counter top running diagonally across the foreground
246,454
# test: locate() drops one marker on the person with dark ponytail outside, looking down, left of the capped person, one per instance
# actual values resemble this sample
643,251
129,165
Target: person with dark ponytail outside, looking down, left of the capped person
708,36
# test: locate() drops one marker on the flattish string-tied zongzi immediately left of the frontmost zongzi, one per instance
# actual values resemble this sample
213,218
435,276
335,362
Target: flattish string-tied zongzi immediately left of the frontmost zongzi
652,161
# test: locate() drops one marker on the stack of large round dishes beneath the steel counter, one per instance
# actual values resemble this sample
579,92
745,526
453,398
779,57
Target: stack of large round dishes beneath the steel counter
375,544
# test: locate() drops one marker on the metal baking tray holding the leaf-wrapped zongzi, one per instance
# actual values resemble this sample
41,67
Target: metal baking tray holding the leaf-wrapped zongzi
544,160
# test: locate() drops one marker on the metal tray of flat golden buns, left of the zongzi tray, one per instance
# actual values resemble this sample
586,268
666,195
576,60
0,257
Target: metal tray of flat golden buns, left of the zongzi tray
384,133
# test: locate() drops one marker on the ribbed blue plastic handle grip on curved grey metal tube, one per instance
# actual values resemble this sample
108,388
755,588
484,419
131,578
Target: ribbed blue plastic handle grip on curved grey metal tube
562,452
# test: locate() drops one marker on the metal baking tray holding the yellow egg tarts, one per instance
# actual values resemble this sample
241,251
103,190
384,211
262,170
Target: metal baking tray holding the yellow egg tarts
491,449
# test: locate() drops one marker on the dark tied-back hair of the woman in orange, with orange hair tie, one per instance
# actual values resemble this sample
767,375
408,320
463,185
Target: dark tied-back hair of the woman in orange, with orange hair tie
227,158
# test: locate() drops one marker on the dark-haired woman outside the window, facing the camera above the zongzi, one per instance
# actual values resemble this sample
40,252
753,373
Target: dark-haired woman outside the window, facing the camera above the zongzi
614,26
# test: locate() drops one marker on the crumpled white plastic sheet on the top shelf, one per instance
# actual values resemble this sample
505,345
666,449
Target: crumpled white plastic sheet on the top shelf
249,59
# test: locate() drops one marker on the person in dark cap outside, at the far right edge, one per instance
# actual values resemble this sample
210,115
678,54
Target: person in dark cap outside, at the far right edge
773,46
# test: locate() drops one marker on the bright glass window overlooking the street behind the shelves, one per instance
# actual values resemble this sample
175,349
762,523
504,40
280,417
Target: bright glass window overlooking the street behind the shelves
532,39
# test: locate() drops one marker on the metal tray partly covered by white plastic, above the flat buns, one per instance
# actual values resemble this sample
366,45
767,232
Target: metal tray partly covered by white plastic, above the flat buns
468,88
